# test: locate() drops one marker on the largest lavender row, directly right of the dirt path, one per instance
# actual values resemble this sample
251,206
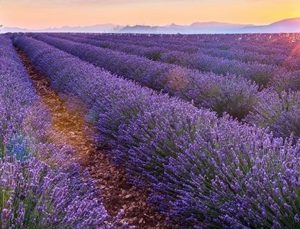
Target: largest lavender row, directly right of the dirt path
202,171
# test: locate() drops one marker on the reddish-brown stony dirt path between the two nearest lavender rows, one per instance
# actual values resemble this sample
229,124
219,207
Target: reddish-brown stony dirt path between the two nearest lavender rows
70,128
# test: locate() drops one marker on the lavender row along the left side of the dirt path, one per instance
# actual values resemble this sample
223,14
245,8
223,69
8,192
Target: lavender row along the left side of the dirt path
38,187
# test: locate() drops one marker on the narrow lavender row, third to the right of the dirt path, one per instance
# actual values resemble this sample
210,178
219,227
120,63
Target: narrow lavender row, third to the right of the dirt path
261,74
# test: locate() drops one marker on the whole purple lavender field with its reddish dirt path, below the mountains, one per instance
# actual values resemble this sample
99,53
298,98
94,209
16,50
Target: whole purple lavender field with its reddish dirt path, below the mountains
149,131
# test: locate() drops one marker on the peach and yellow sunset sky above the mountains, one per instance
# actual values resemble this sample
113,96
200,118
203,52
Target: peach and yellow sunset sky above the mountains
37,14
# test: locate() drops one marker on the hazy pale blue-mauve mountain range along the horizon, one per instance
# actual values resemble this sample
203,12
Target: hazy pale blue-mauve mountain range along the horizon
283,26
